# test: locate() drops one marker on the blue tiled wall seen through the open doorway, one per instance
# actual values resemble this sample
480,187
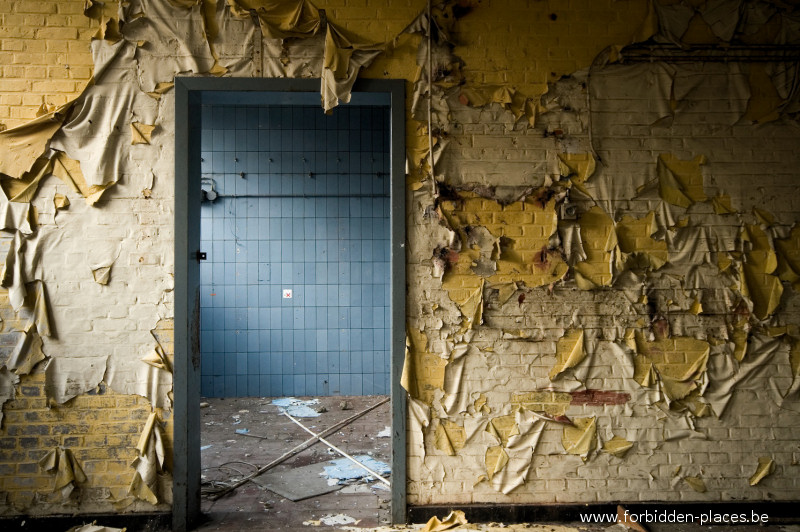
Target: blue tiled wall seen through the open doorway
303,205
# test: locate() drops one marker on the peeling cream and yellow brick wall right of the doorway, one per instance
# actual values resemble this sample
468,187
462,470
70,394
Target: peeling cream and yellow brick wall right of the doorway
645,267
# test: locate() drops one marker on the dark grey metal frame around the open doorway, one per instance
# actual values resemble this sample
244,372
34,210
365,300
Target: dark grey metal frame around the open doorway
189,94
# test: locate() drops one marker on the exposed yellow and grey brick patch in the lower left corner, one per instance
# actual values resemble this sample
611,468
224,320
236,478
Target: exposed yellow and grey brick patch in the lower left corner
101,429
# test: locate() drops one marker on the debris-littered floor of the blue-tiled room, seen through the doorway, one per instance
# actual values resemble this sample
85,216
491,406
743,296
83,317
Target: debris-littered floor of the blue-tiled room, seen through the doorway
238,477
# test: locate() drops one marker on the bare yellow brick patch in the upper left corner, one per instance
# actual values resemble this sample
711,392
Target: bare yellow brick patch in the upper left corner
44,55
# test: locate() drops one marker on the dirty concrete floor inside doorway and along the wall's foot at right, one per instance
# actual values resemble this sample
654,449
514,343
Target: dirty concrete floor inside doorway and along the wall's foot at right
359,506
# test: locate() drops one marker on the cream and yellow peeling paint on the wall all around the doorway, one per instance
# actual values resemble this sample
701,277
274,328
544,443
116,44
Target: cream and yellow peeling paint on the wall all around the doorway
616,246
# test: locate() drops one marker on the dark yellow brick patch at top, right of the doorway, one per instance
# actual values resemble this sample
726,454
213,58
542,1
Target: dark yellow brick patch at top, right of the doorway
526,45
